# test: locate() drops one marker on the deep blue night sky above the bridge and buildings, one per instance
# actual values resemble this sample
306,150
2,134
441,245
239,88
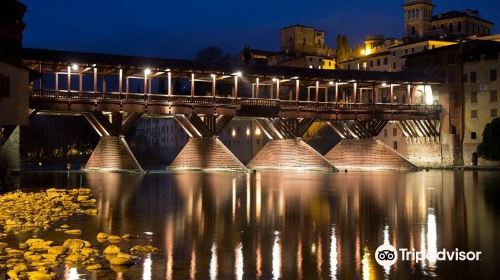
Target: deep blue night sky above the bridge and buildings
177,29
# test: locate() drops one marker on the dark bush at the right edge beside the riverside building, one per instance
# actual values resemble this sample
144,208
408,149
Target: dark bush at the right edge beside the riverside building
490,147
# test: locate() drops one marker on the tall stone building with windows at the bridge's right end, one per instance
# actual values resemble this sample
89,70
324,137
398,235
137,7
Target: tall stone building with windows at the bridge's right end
468,94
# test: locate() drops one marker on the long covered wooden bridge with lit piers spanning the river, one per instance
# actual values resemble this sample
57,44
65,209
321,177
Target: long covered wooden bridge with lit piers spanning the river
112,92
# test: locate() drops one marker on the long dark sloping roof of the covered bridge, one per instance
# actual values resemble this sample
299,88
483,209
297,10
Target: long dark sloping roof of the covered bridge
51,58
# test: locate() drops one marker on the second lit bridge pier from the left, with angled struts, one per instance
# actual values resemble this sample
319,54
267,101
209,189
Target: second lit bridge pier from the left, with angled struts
204,151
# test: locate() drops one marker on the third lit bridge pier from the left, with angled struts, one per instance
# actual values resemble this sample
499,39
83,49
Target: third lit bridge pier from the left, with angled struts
286,150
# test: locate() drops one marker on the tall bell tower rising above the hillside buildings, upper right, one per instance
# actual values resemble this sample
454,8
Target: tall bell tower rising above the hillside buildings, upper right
418,16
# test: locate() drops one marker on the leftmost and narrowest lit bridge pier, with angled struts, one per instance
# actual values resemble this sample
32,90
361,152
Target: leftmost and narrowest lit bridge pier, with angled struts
112,153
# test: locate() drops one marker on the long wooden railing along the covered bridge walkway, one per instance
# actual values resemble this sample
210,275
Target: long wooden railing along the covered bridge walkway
114,97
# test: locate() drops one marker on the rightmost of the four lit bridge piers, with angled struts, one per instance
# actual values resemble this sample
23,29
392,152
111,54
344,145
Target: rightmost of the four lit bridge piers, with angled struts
360,150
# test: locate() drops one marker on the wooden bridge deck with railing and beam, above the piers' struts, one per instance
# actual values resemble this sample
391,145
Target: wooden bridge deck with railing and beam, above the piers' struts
76,101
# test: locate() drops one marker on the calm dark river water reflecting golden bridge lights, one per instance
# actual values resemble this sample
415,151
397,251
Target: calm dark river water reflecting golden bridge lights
291,225
